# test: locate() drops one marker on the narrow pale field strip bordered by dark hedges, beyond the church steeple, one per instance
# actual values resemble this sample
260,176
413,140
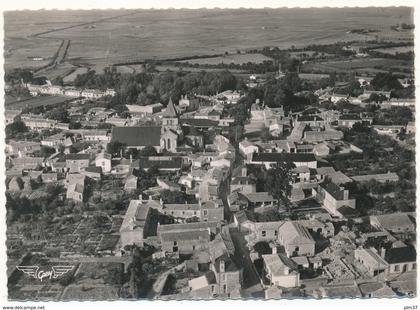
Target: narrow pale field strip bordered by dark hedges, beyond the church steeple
228,59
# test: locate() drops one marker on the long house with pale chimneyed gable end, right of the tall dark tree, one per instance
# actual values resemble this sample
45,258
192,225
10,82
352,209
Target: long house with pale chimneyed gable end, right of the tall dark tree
333,197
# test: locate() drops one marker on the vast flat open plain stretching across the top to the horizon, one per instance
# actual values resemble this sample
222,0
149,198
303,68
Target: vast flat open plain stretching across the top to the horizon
161,34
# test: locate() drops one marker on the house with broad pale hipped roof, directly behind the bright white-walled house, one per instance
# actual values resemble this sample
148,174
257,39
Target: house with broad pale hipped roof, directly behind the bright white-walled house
296,239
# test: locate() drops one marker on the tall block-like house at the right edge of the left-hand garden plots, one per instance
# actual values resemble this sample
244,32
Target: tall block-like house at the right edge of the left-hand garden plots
135,227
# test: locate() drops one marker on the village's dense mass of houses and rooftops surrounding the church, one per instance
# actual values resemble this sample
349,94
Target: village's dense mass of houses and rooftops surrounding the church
231,235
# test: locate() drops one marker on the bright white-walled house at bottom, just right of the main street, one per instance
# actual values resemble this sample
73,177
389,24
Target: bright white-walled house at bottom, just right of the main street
281,271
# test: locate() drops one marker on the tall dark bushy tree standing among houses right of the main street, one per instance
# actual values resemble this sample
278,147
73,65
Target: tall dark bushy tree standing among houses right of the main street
278,181
